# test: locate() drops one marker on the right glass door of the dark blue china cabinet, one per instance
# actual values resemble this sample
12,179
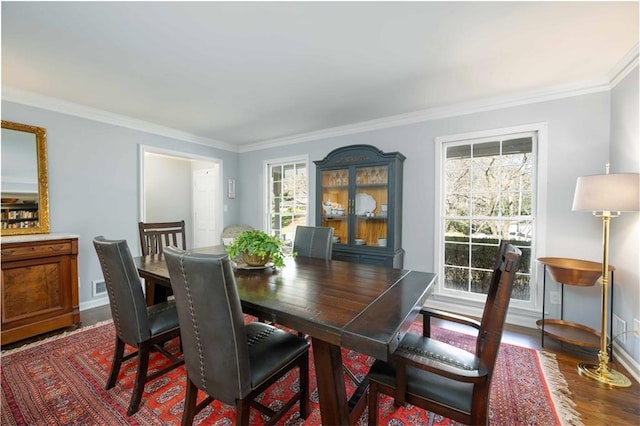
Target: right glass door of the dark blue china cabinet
370,206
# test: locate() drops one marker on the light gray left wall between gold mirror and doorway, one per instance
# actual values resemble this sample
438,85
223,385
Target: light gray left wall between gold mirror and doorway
94,180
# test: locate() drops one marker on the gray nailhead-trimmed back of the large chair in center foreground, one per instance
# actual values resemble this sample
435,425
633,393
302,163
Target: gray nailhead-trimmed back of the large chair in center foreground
214,341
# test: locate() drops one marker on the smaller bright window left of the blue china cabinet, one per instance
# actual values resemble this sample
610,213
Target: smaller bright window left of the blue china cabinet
287,197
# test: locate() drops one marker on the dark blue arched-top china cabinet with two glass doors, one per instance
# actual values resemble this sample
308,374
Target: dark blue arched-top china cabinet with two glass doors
359,195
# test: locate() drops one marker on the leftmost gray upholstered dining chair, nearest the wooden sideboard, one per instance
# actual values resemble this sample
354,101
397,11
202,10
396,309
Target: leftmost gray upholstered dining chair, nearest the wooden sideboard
144,328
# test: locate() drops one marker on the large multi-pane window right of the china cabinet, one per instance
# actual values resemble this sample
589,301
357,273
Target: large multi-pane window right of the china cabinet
488,194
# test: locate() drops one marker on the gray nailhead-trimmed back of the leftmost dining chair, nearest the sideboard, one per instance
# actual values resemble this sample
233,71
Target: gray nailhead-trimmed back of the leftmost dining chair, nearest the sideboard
128,307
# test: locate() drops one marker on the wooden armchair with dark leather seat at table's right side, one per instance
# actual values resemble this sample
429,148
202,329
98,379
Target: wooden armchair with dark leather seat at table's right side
442,378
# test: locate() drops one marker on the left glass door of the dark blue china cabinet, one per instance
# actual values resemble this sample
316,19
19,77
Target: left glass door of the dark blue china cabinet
335,203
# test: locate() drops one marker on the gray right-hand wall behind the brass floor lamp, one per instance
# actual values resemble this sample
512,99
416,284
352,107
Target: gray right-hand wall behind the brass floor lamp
625,230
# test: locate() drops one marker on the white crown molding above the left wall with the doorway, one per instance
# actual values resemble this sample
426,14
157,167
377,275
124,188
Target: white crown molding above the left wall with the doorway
24,97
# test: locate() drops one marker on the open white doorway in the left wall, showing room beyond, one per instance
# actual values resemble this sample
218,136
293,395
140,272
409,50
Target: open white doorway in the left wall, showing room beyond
176,186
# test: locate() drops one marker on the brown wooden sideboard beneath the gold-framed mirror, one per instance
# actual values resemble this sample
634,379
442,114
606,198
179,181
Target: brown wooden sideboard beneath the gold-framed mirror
39,285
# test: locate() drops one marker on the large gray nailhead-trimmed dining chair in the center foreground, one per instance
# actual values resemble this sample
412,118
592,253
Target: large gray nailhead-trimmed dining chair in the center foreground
229,360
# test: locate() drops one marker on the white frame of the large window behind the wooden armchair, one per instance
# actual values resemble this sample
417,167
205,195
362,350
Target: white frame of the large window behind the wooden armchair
539,221
